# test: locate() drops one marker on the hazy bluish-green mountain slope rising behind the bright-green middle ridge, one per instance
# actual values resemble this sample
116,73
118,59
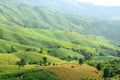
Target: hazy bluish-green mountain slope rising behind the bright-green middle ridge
24,15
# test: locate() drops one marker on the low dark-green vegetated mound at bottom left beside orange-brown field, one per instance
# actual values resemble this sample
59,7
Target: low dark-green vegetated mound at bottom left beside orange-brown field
30,75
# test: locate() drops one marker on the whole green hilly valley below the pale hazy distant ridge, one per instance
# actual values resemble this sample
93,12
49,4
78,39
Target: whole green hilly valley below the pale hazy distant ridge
38,43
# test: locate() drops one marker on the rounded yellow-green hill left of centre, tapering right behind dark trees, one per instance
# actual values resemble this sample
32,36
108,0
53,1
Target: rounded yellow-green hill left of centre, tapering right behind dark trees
34,58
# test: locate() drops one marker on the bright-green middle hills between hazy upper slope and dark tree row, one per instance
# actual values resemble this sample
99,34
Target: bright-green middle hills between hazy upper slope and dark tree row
57,42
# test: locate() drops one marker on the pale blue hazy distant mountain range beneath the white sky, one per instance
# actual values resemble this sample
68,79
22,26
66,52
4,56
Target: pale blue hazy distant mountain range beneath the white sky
73,7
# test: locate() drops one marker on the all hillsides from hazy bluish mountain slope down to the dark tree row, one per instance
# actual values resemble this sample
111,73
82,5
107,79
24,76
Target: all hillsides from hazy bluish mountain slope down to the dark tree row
26,26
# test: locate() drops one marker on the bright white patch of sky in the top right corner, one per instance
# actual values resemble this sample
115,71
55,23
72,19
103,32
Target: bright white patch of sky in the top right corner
103,2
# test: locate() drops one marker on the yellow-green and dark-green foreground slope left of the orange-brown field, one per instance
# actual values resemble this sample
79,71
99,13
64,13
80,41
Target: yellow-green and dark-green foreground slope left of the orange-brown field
28,73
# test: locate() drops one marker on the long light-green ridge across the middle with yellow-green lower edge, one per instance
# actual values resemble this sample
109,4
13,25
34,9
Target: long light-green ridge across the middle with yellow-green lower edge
21,37
